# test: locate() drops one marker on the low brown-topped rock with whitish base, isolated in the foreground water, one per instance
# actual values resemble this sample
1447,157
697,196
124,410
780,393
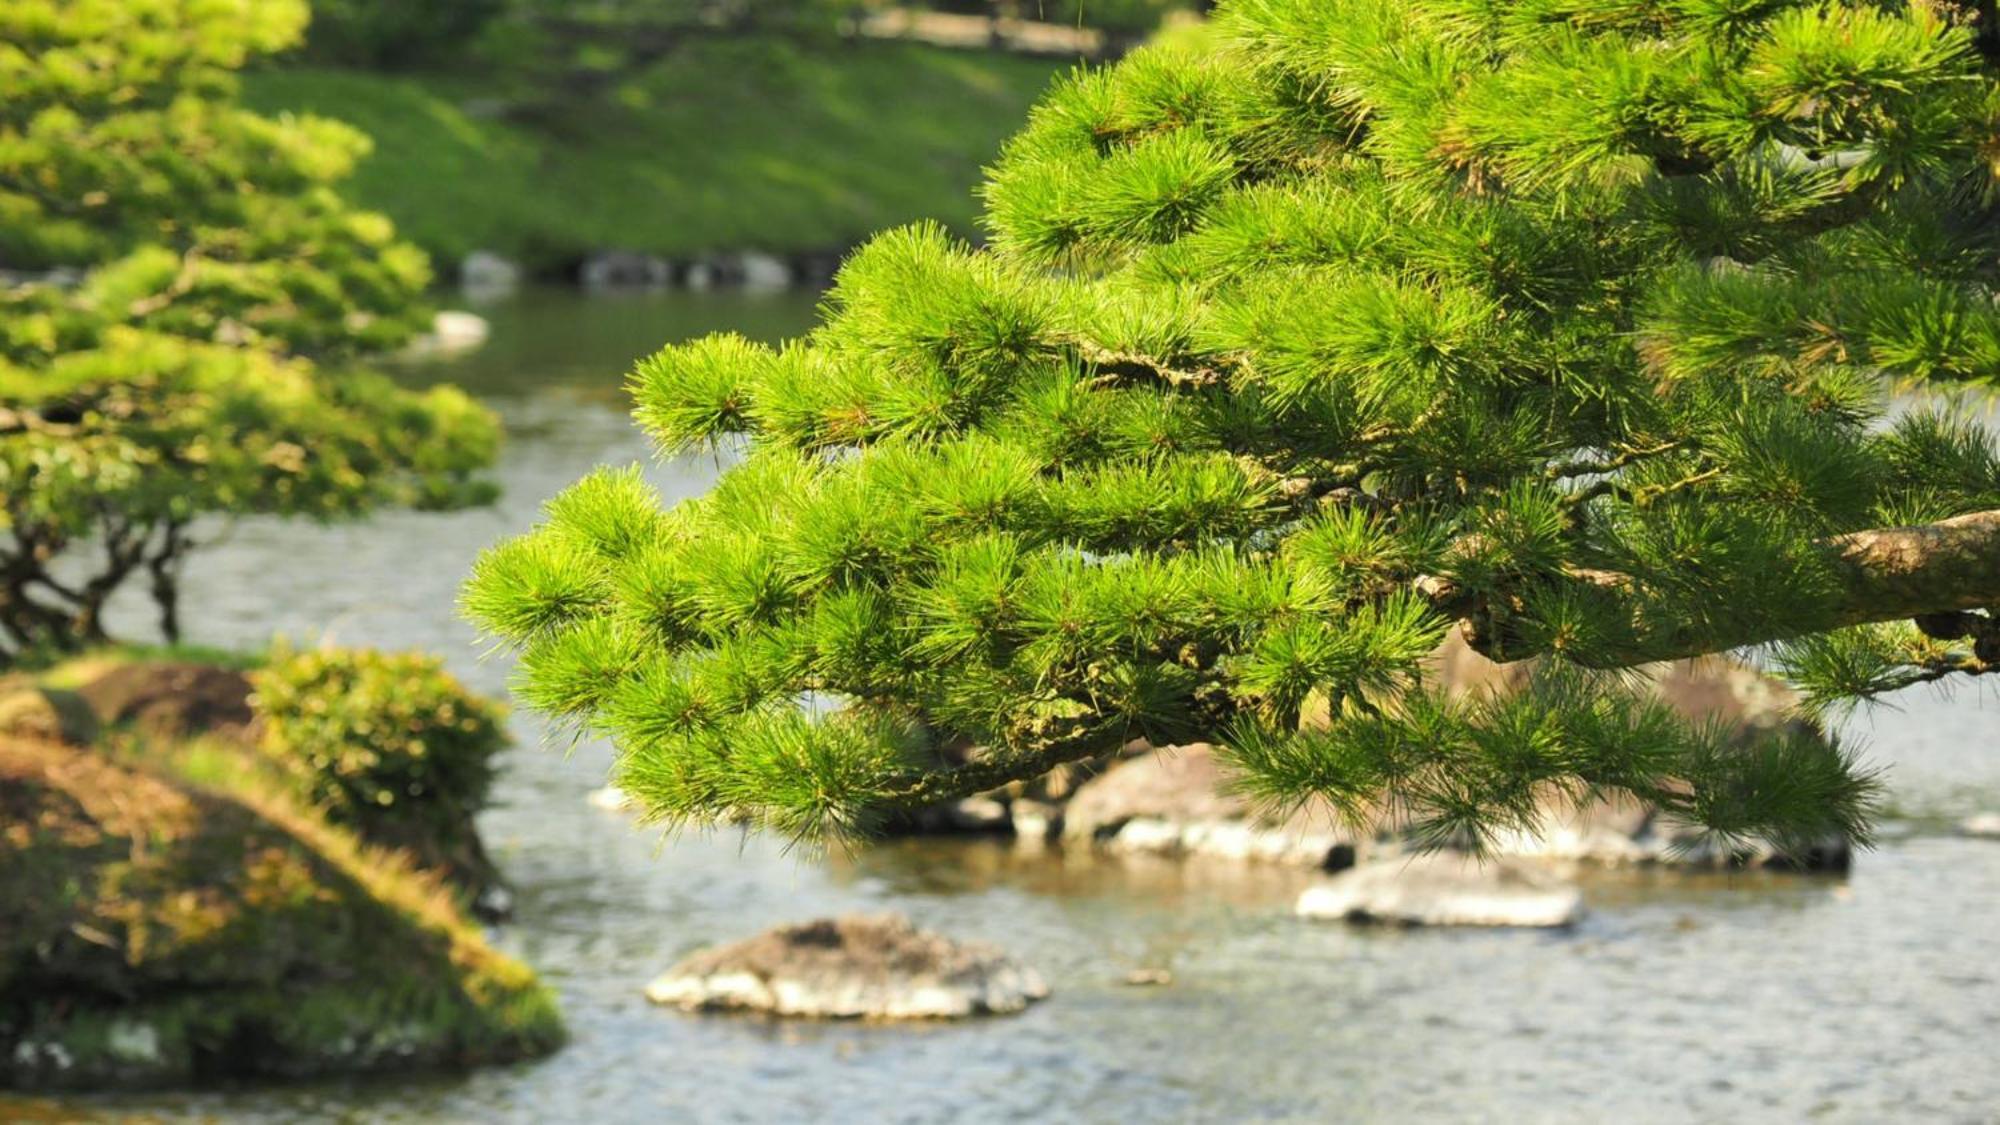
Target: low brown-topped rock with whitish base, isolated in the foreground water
851,968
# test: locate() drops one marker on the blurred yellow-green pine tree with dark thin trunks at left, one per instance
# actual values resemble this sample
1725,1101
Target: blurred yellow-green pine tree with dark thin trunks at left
173,263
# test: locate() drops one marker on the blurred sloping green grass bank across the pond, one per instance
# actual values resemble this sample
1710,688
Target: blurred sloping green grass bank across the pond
731,147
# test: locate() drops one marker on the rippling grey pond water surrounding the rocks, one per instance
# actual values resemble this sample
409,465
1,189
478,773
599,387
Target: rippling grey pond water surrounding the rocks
1721,998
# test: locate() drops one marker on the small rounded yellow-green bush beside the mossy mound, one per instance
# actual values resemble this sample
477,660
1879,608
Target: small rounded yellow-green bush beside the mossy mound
389,744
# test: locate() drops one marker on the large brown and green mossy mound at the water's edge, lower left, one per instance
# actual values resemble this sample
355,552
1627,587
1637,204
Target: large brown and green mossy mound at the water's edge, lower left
159,934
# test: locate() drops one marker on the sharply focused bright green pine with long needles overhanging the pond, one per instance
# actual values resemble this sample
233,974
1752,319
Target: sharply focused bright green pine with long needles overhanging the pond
1603,331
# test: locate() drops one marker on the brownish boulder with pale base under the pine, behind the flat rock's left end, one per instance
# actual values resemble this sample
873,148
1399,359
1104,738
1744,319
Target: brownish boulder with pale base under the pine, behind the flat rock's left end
1177,802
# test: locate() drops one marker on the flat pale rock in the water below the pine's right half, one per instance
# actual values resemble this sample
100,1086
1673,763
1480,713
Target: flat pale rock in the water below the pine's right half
1445,890
